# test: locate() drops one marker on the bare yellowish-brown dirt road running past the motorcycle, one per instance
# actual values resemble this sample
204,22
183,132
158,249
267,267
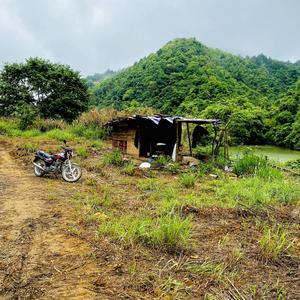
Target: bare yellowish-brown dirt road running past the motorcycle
38,258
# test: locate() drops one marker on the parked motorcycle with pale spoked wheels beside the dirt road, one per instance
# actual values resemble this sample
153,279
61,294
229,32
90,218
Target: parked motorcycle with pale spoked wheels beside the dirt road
60,163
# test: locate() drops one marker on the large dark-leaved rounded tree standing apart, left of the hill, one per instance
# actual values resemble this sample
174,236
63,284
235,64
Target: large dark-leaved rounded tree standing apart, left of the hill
51,90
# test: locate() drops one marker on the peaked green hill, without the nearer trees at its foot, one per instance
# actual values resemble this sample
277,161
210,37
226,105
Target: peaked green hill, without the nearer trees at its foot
186,76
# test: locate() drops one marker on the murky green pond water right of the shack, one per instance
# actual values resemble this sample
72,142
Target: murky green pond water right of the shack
275,153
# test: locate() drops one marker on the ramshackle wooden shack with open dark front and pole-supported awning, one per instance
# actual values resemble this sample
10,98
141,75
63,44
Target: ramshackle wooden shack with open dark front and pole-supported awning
147,135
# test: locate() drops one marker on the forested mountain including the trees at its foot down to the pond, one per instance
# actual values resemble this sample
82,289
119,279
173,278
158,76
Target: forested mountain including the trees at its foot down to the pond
187,78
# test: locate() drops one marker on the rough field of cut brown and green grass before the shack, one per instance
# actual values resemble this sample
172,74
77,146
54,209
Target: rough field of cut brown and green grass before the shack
175,232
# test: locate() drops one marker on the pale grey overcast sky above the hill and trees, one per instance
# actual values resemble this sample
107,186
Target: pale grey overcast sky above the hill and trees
94,35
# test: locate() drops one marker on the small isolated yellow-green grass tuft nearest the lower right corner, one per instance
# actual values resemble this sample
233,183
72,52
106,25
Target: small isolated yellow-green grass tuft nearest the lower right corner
274,243
